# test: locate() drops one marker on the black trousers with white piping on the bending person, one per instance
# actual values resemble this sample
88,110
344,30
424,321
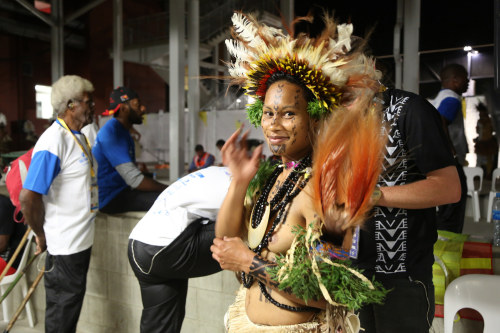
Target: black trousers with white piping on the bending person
163,274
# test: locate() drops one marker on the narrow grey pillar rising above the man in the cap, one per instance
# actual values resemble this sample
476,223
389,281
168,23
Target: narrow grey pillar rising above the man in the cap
117,43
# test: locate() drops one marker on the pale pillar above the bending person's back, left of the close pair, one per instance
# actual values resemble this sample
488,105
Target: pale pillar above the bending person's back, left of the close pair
176,88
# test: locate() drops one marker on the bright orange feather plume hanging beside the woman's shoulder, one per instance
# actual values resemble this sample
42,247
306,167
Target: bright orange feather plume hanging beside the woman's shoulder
347,163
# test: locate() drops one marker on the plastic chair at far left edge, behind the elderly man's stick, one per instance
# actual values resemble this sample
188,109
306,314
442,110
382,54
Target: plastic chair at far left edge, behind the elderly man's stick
7,280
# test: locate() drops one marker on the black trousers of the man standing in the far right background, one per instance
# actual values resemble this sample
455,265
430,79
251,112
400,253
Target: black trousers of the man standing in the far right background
451,217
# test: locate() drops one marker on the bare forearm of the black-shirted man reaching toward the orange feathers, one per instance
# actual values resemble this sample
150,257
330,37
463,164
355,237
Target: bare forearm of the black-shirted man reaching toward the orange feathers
442,186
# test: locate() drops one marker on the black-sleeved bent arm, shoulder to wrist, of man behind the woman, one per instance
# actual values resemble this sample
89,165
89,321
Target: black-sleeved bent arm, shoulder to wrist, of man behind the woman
425,139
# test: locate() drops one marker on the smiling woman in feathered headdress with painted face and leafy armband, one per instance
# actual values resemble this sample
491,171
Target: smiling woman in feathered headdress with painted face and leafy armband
314,98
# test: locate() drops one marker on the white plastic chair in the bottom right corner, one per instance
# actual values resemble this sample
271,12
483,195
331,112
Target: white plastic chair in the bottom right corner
480,292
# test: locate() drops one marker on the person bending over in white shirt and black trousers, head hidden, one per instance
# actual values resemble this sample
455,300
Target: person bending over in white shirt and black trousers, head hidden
171,244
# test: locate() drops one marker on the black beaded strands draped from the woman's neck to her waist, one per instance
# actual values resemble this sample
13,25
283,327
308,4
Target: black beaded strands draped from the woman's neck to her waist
264,210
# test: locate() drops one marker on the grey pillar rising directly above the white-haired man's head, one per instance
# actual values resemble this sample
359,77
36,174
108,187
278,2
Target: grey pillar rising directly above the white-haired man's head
57,40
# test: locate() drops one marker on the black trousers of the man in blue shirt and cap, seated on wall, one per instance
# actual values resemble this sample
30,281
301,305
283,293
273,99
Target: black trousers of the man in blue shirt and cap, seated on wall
130,200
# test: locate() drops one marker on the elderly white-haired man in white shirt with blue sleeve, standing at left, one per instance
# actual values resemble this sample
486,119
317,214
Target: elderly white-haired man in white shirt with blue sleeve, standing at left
59,201
